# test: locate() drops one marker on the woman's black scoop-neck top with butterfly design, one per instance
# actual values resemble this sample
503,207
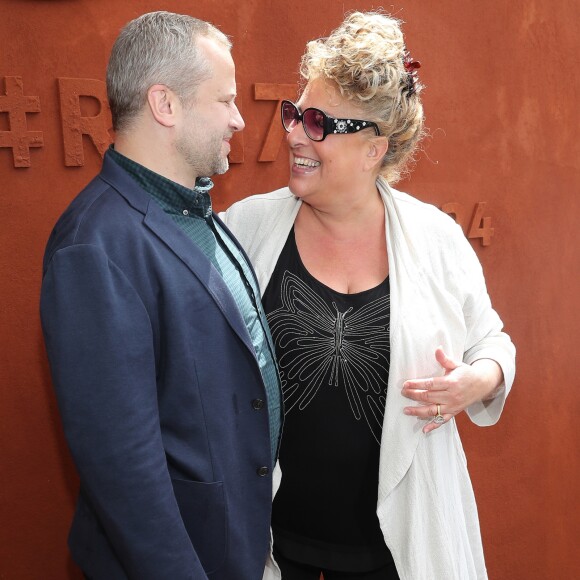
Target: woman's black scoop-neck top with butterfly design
333,355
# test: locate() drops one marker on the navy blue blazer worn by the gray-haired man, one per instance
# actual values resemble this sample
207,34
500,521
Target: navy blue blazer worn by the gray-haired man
160,394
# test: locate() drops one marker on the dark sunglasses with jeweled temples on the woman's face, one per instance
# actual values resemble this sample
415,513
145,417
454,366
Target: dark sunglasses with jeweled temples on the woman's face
317,124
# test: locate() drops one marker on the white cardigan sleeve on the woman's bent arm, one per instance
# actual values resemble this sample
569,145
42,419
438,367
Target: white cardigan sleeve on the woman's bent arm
485,336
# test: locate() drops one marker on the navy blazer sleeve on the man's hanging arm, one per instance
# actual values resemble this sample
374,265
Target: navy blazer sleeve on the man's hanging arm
101,351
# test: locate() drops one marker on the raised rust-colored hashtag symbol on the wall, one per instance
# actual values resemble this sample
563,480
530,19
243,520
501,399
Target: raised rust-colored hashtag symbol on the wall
18,106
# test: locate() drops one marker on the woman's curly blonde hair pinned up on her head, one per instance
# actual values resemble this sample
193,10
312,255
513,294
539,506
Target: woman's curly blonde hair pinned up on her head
365,58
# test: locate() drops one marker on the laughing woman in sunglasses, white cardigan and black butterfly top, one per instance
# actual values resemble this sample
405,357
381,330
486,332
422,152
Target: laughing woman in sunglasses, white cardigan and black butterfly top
383,329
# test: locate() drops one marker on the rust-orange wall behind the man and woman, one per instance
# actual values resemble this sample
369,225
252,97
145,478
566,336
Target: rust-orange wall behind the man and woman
501,104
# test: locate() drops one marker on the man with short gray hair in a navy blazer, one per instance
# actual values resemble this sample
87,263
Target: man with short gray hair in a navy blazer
159,350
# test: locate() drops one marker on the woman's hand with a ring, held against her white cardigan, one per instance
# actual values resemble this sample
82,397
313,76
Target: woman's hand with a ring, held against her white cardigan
460,386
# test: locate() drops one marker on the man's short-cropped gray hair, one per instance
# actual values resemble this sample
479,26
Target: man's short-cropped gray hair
157,48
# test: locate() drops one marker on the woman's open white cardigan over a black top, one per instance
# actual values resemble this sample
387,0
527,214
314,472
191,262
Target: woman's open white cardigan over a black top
426,505
